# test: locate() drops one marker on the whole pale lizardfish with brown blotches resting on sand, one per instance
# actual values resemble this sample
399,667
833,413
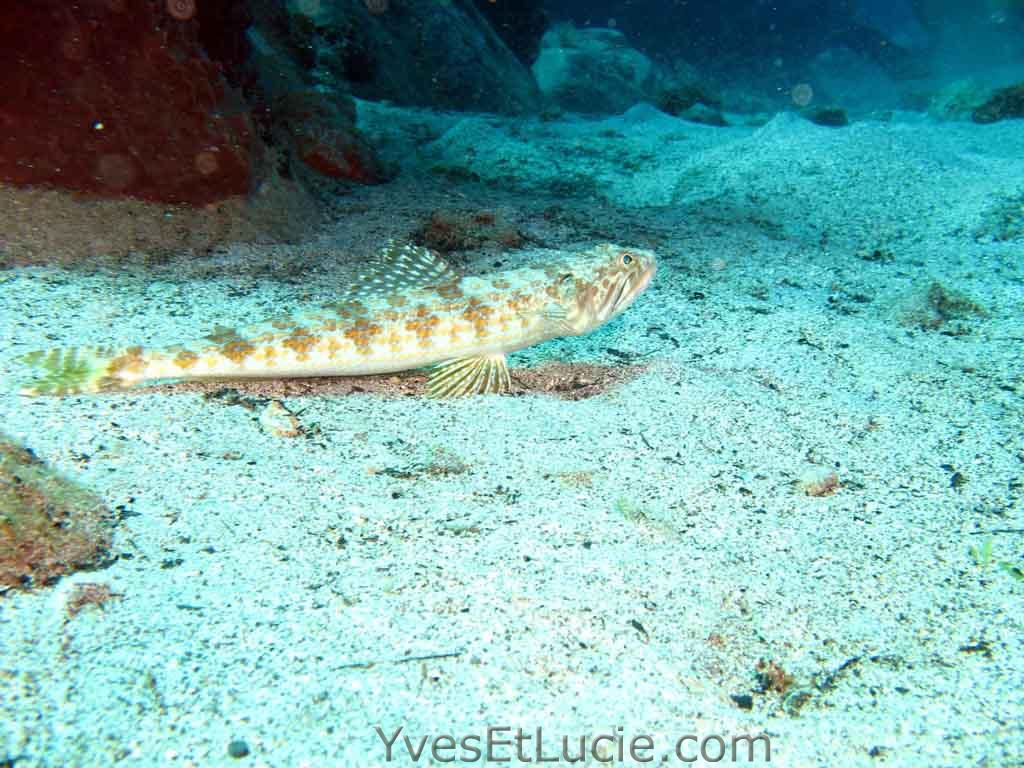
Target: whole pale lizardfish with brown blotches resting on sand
412,312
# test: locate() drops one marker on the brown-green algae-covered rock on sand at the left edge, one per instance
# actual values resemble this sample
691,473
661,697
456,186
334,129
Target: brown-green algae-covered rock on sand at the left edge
50,527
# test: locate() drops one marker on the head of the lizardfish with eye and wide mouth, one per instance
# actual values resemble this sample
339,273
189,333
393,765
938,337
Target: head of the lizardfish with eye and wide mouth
604,285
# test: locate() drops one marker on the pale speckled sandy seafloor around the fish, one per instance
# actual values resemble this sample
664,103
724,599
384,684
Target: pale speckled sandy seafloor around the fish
574,567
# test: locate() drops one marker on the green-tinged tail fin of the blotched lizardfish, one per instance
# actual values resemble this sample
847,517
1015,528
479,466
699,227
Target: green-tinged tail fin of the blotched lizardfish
78,370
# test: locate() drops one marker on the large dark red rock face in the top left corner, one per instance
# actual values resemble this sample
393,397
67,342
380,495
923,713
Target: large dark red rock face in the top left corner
117,99
